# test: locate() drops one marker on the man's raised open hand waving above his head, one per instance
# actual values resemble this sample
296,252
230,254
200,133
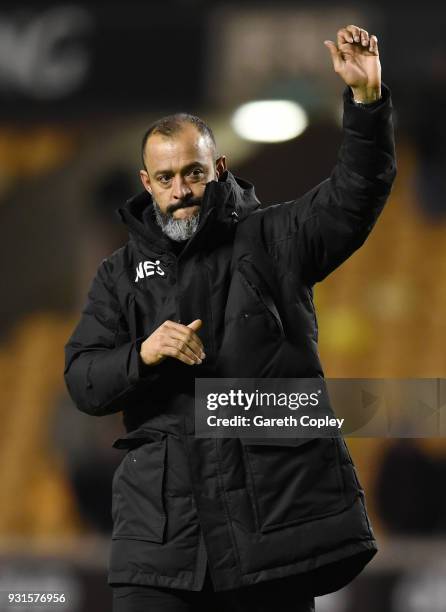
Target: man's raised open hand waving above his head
356,60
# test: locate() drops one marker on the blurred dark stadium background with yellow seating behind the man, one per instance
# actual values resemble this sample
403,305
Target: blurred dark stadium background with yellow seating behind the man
79,83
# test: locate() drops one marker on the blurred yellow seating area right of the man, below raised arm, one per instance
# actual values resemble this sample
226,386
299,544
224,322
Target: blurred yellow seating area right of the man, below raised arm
381,314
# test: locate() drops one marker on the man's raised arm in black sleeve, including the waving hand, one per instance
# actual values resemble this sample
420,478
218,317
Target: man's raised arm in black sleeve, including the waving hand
321,229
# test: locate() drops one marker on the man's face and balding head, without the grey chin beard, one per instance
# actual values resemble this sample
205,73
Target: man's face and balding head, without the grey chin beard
178,169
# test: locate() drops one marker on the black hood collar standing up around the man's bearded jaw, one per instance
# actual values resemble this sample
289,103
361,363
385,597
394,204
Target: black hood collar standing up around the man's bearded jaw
230,198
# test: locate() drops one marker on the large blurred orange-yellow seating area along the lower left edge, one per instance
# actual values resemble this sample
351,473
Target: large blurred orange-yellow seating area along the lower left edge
37,498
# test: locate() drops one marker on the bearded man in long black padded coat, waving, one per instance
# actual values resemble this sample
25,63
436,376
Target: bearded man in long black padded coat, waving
211,285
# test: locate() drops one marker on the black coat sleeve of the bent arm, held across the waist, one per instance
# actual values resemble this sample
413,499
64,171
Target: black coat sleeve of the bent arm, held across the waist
102,374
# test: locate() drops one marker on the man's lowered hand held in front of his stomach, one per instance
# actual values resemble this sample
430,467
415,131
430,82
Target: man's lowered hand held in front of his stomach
173,339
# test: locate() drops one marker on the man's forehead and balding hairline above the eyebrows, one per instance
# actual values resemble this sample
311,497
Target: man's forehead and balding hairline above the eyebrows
187,143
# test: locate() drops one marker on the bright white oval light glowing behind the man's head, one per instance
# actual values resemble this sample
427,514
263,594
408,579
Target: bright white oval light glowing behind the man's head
270,120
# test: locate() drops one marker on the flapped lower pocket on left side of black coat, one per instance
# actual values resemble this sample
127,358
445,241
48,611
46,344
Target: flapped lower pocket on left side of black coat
137,489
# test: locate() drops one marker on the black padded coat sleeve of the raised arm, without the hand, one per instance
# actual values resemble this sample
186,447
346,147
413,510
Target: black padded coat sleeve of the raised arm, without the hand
331,221
